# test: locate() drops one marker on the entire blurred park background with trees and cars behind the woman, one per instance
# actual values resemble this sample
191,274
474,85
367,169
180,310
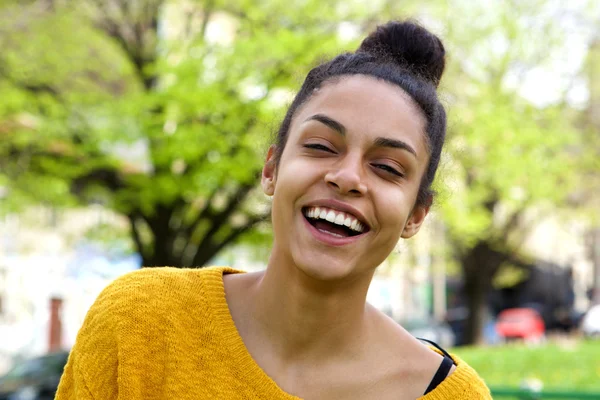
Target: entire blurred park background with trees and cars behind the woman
132,133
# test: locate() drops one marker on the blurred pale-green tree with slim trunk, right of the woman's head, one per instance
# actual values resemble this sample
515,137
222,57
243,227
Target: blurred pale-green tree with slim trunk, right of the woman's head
510,161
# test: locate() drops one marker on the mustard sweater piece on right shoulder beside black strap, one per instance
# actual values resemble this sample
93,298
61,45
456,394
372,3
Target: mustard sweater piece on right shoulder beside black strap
463,383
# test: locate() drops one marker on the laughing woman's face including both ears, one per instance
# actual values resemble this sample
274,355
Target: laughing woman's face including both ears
346,185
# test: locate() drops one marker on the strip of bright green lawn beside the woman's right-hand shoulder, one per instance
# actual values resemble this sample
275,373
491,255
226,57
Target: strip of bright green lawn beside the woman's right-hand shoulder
574,366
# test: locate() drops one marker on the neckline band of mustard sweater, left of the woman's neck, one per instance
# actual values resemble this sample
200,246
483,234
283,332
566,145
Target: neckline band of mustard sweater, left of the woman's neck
248,369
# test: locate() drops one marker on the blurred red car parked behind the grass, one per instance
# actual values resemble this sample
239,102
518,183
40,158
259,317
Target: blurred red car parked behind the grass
521,323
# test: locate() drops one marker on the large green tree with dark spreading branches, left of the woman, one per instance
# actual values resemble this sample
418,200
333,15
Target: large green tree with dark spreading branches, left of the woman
194,87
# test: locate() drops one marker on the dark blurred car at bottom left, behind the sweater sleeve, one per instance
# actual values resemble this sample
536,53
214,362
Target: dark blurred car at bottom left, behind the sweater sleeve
34,379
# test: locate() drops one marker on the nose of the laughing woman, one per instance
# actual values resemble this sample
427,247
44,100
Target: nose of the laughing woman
347,177
